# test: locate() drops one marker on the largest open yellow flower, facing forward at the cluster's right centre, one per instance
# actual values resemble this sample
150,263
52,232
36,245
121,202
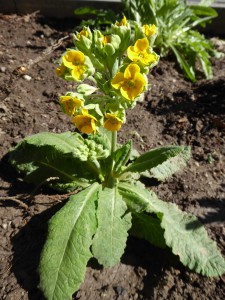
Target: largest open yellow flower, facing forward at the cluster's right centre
131,83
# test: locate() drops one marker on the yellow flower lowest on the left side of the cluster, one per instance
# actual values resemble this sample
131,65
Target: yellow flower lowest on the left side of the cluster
85,122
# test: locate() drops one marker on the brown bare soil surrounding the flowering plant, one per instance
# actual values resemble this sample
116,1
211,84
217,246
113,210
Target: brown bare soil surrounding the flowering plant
175,111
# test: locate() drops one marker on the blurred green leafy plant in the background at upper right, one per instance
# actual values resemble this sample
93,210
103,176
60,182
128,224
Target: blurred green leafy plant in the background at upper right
177,22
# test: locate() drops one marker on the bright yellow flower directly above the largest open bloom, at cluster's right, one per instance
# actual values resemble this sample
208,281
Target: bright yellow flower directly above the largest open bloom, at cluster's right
140,52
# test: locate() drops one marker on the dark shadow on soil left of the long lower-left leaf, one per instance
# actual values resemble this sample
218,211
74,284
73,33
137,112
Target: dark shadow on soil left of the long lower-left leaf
27,246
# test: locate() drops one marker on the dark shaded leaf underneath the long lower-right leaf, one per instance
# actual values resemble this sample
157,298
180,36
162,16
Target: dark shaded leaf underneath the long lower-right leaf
148,227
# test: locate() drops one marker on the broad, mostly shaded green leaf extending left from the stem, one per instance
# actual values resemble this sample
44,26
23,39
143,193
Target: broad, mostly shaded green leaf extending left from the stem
59,160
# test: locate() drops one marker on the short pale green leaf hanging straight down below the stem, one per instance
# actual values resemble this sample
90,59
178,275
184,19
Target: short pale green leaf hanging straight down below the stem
113,223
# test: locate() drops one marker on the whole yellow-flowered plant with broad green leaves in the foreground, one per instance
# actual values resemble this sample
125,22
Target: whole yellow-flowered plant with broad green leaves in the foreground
112,201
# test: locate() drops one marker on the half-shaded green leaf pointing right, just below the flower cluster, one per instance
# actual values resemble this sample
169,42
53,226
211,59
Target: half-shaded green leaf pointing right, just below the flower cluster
162,162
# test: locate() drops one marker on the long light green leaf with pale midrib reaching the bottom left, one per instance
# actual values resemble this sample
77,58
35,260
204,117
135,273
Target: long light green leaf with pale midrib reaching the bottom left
67,249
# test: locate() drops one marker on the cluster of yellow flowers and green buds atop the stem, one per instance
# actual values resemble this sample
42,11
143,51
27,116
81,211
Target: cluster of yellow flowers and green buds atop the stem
98,55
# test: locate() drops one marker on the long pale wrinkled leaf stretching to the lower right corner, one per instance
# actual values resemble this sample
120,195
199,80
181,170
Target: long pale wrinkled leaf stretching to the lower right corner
182,231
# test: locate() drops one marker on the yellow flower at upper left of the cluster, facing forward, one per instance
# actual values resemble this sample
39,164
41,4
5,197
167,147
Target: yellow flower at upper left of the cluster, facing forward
75,60
